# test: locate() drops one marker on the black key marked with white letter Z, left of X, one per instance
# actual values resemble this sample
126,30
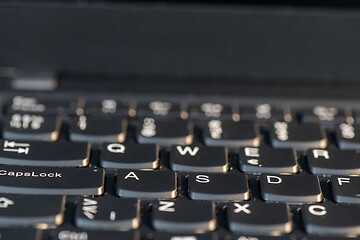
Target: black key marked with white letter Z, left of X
184,216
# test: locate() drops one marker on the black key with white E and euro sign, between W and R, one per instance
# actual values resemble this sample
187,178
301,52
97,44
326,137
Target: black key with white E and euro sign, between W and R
265,159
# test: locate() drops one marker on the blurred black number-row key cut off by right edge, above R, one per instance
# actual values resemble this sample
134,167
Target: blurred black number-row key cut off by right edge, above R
348,136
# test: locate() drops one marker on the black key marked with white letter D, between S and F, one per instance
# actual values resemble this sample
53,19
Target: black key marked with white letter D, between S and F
300,188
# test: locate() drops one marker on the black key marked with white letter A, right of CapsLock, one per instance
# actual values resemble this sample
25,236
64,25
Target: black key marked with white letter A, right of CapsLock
146,184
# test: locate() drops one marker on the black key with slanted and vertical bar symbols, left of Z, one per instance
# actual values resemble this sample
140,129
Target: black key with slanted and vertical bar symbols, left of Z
108,213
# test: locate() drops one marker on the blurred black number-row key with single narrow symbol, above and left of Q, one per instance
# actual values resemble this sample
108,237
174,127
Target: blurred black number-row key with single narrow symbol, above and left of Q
95,130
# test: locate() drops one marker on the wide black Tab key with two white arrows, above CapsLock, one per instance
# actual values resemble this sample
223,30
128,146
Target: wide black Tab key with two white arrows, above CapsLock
52,154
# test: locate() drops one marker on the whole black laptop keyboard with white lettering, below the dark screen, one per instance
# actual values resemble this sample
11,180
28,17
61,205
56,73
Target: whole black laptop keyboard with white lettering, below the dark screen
94,169
